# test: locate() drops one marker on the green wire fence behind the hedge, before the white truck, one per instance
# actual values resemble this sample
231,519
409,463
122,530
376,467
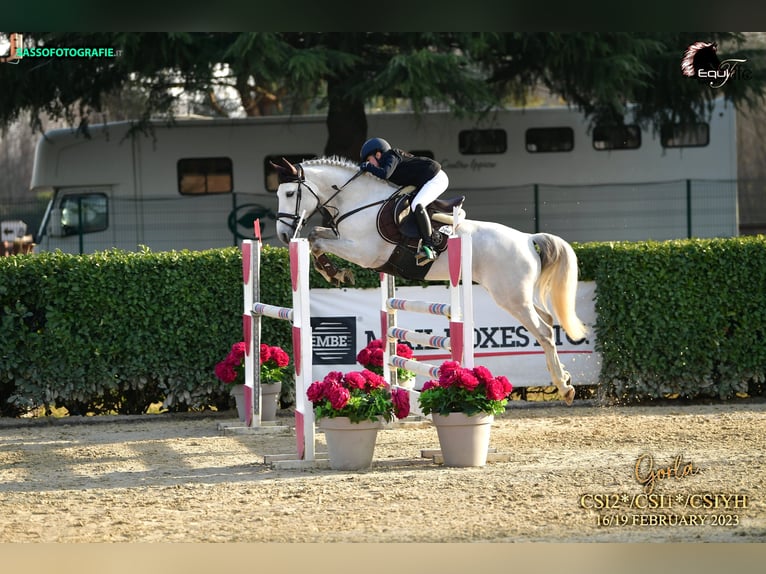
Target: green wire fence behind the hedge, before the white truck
610,212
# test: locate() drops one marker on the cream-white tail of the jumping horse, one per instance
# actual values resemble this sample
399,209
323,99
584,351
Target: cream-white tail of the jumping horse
558,280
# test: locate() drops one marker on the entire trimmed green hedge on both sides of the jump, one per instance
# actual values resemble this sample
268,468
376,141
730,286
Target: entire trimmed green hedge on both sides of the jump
117,331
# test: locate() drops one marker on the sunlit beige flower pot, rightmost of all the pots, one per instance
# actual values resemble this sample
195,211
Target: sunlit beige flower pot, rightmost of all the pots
464,439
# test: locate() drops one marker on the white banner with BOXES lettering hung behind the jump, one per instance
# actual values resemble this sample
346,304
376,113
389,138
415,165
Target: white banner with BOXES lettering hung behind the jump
344,320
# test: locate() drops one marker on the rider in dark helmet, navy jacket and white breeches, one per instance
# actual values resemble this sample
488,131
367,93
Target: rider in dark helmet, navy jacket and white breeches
402,168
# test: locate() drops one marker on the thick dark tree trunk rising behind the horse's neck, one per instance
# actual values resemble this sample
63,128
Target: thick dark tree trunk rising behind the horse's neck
346,123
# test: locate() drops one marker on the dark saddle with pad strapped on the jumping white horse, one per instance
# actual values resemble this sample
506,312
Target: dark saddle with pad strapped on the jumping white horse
396,224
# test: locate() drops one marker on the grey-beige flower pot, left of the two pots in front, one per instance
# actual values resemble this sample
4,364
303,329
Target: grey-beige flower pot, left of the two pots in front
350,446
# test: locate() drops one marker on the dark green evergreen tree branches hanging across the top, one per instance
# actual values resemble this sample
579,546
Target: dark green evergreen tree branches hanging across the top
343,73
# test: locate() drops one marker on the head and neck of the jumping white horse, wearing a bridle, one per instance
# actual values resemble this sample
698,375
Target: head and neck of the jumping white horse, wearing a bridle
315,186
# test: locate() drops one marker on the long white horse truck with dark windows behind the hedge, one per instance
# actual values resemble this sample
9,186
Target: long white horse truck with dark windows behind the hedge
199,183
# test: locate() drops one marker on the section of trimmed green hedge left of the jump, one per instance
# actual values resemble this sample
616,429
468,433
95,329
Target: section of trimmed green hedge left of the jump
118,331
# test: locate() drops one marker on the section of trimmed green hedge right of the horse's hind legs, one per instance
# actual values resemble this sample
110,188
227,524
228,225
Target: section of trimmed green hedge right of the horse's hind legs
683,318
